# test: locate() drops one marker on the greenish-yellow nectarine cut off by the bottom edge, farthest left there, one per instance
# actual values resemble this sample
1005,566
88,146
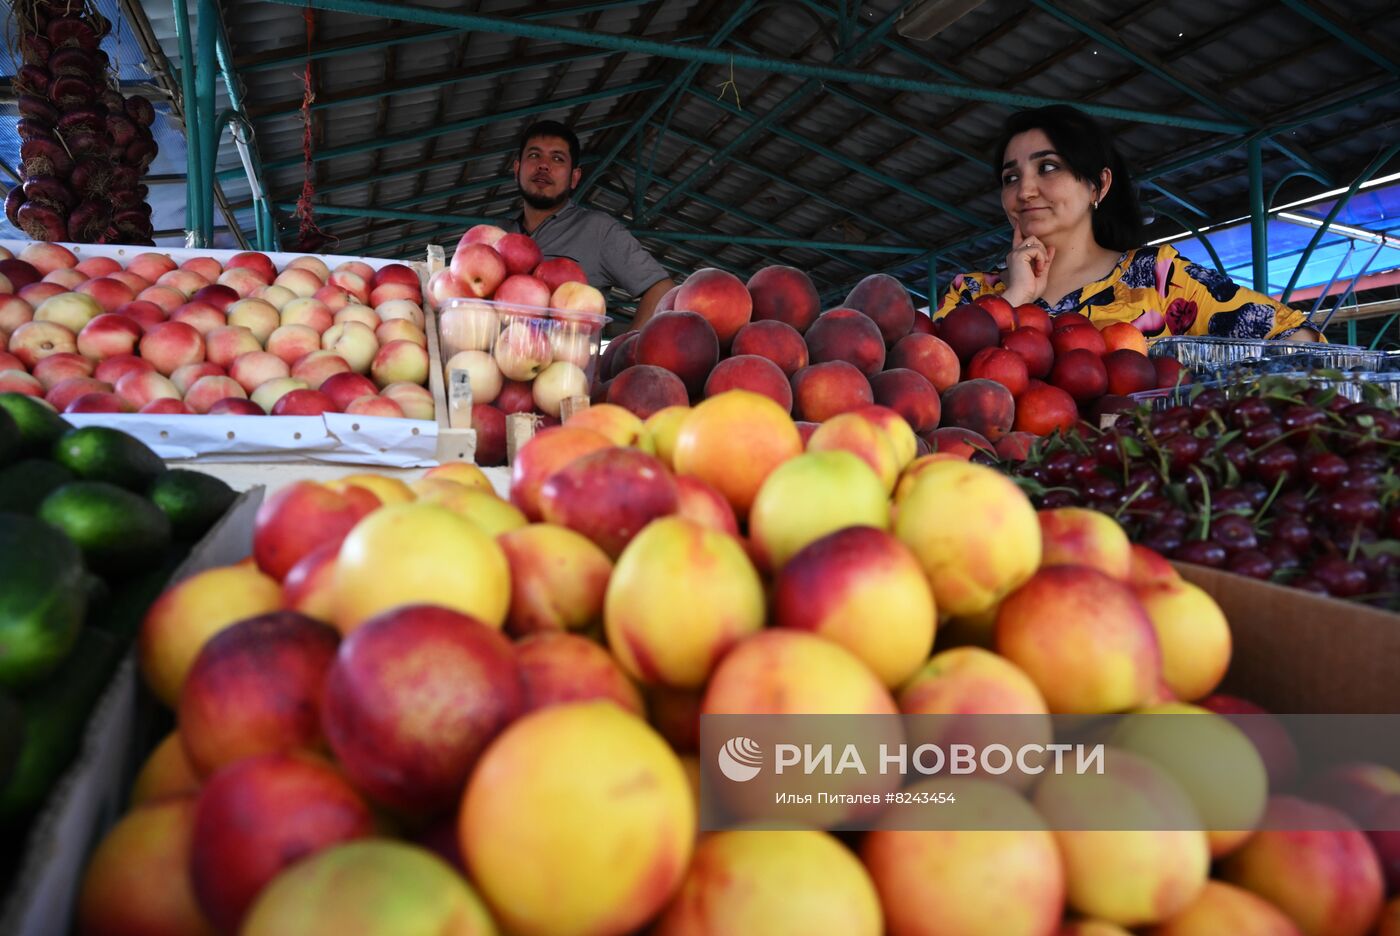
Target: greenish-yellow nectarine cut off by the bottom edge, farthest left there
373,888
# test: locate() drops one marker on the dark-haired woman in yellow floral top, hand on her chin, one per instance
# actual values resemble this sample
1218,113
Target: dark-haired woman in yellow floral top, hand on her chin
1077,244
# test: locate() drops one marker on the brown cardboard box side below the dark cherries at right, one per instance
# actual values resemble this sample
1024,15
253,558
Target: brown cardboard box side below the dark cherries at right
1297,653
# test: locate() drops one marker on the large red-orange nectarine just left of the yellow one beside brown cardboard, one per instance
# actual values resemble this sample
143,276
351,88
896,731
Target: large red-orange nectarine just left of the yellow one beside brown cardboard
1083,637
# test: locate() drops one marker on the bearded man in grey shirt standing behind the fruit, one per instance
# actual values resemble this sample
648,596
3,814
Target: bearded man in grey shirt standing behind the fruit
547,174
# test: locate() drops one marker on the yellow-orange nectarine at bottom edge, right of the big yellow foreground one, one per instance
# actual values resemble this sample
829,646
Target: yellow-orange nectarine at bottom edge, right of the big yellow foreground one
799,882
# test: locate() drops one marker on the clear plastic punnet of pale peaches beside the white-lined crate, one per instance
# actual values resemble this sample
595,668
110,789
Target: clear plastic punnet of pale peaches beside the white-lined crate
551,353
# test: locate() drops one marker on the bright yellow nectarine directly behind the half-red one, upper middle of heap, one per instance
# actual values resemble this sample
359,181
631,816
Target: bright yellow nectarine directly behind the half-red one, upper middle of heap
813,496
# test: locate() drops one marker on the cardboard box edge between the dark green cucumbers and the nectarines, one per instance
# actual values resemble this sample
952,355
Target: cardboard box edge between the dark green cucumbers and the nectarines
93,793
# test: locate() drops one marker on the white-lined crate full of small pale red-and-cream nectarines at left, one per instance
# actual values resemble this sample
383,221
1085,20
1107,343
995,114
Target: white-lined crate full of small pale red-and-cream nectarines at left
143,341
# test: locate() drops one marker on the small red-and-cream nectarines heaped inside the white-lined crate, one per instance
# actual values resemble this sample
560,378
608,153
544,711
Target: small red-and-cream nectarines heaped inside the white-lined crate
205,336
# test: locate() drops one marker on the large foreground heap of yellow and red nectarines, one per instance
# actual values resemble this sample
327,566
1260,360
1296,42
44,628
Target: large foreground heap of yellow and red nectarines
426,709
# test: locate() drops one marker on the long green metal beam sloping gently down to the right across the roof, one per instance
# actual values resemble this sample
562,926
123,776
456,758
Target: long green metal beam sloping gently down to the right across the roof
738,61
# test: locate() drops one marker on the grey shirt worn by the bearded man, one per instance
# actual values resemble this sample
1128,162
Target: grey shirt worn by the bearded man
600,244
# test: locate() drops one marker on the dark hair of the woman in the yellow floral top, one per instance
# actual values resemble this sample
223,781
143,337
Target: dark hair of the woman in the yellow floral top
1087,149
